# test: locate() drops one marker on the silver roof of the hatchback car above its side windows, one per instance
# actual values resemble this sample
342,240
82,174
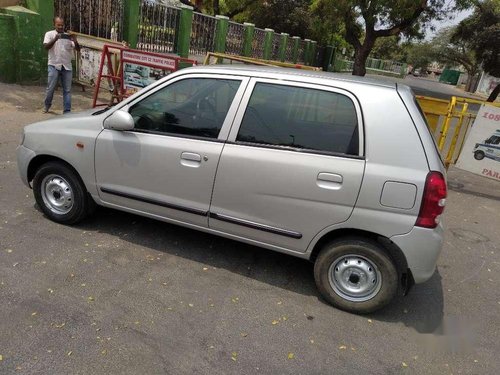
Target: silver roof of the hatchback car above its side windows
259,71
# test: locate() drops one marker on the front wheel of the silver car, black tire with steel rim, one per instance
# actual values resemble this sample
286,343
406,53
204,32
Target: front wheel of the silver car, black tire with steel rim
61,179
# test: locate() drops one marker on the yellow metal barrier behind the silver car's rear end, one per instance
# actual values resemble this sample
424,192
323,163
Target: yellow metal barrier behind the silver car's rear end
449,121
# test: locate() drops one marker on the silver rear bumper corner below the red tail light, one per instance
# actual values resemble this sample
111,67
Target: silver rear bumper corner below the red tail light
421,247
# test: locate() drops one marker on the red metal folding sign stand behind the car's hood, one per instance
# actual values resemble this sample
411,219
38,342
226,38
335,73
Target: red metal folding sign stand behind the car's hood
116,77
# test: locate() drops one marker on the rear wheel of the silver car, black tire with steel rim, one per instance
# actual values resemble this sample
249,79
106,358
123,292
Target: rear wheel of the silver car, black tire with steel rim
362,263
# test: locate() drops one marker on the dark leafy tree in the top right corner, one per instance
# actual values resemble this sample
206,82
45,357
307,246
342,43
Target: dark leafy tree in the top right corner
482,31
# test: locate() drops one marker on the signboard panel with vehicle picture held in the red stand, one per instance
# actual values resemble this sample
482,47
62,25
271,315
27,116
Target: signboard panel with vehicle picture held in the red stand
143,68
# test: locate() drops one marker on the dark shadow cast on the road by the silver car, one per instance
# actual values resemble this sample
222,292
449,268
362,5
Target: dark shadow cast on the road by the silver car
422,309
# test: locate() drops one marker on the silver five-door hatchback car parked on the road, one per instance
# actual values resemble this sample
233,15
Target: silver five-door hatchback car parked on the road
332,168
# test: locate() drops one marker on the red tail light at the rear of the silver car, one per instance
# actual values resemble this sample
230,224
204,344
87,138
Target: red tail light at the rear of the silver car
433,201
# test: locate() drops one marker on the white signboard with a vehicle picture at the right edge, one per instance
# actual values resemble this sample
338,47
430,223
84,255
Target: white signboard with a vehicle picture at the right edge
481,151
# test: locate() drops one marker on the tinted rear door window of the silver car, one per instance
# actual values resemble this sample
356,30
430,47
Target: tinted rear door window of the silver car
301,118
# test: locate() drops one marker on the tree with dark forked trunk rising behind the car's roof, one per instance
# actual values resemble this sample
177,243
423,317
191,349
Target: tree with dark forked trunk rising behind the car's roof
367,20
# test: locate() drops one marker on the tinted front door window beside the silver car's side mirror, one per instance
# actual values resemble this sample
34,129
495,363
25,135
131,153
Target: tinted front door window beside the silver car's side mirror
192,107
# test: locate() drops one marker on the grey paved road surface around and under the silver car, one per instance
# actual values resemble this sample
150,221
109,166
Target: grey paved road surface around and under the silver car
127,295
